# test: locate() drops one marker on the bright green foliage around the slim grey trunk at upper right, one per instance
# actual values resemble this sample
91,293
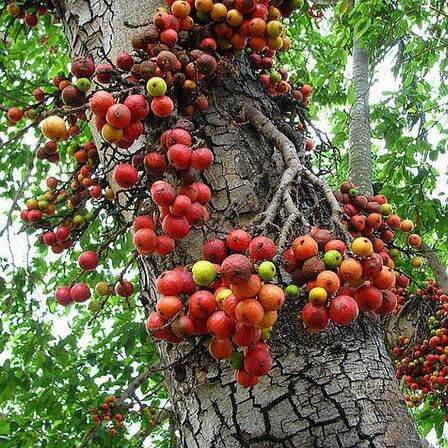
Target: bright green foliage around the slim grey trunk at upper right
405,38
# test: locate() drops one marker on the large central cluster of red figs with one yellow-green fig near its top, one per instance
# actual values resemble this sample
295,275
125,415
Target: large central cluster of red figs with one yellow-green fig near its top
229,296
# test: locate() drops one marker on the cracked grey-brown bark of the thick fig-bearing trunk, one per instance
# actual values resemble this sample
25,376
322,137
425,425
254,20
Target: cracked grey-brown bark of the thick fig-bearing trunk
336,389
